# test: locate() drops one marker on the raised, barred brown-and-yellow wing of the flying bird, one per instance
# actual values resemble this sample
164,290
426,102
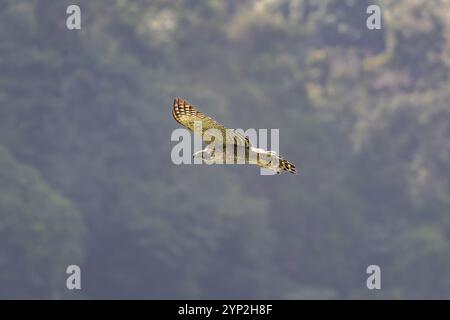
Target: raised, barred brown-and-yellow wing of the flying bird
186,114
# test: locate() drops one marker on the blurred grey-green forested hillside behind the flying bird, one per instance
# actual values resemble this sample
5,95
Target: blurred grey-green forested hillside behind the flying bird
85,170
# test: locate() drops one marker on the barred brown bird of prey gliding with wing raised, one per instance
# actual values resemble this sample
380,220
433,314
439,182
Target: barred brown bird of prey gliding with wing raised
227,145
